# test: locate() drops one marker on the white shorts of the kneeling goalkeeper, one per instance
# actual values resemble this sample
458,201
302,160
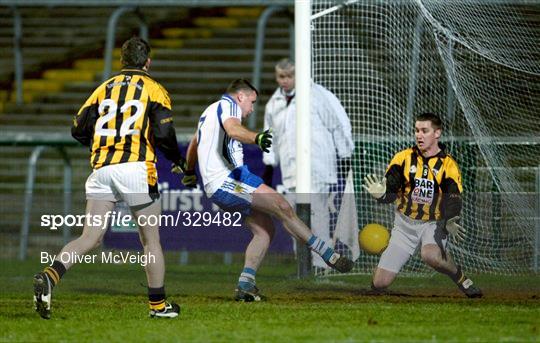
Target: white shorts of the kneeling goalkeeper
405,238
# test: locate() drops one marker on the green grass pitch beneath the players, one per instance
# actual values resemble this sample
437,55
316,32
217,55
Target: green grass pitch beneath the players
108,303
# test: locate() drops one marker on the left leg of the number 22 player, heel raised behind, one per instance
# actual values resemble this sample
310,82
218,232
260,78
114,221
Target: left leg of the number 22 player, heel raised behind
92,235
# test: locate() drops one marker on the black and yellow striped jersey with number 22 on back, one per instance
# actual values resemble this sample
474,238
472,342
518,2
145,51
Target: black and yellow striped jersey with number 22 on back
125,119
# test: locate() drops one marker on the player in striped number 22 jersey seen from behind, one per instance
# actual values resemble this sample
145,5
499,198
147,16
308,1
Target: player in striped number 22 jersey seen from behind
123,122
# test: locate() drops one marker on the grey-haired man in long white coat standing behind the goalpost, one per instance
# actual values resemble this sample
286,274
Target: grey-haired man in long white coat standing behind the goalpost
331,140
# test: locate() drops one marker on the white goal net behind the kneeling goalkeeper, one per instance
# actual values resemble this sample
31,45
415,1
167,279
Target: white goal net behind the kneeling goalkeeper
475,63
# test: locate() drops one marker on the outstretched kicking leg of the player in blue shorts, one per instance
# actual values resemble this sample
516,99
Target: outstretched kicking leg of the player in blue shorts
267,200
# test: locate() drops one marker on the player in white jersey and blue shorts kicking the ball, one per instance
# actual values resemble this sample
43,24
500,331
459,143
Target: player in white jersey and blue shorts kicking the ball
227,181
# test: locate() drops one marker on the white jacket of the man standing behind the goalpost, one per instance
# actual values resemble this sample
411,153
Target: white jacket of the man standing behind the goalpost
330,136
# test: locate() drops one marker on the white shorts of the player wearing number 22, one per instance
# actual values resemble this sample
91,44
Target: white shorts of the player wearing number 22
133,182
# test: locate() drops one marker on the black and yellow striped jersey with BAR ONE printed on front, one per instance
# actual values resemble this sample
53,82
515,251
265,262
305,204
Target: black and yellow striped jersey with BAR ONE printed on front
424,188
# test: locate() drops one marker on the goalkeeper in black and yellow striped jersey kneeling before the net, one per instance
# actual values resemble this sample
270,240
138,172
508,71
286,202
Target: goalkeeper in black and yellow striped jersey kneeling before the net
425,183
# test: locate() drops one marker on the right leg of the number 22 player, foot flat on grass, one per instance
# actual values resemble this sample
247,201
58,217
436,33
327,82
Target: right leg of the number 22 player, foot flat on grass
155,268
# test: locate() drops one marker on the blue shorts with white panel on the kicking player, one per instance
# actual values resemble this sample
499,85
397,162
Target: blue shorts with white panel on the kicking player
234,195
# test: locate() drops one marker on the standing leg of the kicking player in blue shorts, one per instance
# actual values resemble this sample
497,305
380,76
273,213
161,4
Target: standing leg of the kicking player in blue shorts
262,228
